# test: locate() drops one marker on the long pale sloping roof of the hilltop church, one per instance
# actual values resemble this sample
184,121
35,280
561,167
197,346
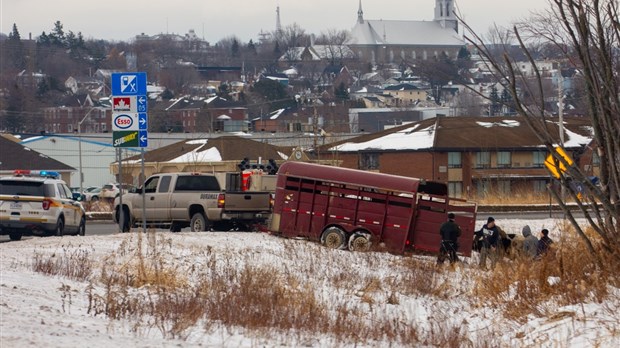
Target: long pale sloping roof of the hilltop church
399,32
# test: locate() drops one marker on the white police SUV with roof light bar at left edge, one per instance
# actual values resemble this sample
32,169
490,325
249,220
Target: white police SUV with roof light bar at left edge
34,202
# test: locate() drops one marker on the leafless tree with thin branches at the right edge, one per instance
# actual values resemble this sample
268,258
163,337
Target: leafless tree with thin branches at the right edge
587,33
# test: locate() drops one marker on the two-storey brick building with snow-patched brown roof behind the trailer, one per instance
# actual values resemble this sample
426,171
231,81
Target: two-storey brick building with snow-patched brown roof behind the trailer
476,156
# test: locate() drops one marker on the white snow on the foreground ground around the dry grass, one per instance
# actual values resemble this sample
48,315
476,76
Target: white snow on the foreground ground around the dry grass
46,311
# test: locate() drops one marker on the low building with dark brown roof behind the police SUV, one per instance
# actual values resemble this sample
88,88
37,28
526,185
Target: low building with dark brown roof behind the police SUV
14,155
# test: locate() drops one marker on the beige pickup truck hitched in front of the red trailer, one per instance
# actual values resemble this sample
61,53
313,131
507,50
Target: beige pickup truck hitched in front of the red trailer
194,200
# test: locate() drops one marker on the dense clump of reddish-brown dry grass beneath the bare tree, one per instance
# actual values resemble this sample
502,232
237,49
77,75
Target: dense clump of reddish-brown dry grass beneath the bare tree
568,274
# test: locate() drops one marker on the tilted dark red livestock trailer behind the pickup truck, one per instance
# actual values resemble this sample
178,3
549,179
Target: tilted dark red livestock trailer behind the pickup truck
348,208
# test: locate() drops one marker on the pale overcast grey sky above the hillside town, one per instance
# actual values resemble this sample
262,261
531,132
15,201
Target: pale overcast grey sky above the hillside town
122,20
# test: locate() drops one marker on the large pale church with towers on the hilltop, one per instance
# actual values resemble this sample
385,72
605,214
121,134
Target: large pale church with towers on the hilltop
392,41
